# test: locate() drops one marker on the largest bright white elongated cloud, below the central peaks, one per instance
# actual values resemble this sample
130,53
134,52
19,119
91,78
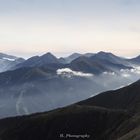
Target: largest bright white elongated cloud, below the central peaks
69,73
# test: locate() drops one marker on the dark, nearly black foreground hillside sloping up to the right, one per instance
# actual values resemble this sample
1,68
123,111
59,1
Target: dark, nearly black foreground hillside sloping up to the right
111,115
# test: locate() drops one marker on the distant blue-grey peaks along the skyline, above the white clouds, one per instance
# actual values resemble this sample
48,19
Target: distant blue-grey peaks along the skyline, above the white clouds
89,62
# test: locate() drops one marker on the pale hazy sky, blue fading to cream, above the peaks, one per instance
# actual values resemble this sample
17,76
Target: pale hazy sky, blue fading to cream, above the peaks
30,27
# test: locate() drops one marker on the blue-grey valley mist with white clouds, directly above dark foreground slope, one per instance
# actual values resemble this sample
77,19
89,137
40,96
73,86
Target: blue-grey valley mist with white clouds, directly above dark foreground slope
63,88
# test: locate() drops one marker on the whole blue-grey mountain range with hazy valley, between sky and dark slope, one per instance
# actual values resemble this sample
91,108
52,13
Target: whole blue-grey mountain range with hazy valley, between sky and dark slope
43,83
